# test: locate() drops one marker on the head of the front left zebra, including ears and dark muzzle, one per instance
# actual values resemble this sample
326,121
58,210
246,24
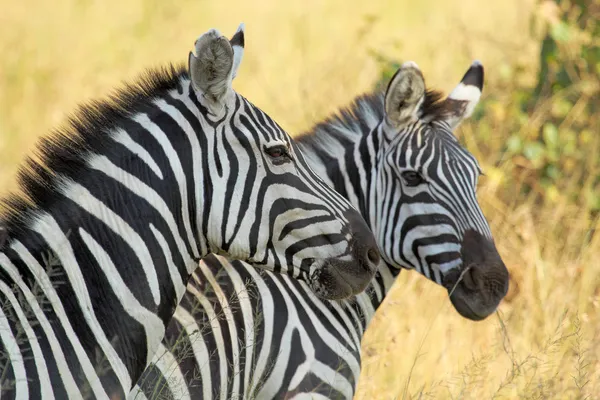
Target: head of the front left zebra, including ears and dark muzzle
278,214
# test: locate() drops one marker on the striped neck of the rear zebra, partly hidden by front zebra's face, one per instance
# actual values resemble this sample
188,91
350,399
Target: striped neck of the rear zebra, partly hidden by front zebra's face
343,150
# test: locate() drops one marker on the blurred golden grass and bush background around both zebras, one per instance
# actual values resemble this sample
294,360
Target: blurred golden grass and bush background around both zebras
536,133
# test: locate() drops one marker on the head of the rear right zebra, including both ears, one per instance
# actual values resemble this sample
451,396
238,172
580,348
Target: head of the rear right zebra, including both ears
429,218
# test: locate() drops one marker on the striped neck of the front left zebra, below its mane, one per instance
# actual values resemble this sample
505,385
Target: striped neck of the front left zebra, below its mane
107,248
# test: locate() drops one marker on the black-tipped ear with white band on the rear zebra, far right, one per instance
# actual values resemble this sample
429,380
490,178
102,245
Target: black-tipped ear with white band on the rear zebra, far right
462,100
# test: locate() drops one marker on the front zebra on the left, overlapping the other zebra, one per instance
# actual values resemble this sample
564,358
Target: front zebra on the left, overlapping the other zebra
125,202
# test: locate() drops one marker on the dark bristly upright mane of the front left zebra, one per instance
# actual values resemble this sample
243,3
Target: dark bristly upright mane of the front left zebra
64,151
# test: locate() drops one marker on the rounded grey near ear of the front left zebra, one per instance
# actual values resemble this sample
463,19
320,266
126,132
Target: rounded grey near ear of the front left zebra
212,66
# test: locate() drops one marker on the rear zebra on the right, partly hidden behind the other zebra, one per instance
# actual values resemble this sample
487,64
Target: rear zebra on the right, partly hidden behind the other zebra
242,333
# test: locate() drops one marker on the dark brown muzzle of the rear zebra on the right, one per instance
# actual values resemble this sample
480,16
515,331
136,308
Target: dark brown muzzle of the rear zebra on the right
479,285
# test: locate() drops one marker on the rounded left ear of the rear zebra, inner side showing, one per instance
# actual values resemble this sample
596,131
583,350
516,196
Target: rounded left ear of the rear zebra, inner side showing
404,94
